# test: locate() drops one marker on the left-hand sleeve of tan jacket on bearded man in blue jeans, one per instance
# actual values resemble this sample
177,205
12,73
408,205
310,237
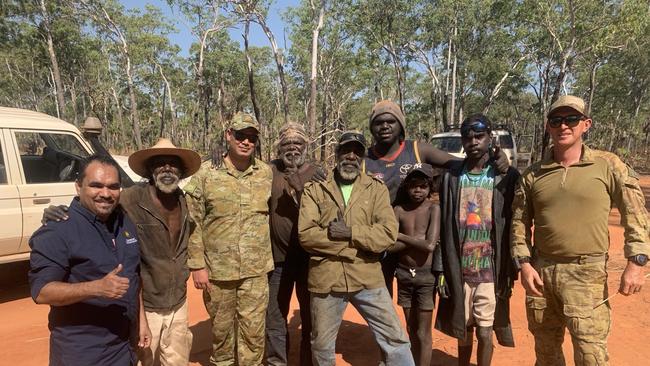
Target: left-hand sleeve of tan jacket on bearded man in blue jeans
313,237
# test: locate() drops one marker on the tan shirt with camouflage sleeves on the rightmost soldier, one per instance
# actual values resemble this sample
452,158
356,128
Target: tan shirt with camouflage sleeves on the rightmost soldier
569,207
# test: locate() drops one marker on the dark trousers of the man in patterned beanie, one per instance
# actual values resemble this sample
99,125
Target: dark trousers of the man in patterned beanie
281,284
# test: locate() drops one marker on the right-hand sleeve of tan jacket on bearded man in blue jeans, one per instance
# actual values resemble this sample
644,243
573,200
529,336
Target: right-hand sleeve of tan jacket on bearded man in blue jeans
381,233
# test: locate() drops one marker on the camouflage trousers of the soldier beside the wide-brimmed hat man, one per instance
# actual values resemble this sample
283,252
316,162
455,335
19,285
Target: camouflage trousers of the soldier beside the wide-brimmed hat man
237,311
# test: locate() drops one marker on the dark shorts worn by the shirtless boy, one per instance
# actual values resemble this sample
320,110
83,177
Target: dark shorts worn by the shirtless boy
415,287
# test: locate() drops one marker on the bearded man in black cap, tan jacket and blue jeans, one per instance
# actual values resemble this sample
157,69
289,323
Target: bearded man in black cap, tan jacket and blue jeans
345,223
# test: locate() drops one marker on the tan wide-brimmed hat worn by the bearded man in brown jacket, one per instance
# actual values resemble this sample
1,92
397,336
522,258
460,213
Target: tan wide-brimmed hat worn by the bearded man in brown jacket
191,160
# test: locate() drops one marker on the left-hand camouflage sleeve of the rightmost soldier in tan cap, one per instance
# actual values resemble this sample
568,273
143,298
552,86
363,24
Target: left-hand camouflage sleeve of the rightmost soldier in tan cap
522,219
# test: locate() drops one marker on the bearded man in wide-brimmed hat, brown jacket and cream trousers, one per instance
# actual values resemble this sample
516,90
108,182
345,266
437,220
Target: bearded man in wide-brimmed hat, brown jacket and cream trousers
159,210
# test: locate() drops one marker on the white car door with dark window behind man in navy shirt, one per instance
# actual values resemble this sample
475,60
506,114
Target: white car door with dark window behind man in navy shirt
48,162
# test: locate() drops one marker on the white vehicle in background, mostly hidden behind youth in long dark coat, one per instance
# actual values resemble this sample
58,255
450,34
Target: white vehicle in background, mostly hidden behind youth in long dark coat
451,143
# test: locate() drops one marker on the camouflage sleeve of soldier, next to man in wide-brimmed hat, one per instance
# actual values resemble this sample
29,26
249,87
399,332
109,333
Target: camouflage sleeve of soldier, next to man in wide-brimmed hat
196,207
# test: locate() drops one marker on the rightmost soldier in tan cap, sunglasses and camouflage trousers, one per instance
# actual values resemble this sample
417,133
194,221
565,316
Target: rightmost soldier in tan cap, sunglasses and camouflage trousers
567,197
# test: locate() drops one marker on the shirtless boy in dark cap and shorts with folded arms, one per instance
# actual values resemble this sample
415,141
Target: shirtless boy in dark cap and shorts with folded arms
419,225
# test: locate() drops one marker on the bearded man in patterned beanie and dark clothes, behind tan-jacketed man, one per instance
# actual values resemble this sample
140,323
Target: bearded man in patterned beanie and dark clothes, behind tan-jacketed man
290,172
